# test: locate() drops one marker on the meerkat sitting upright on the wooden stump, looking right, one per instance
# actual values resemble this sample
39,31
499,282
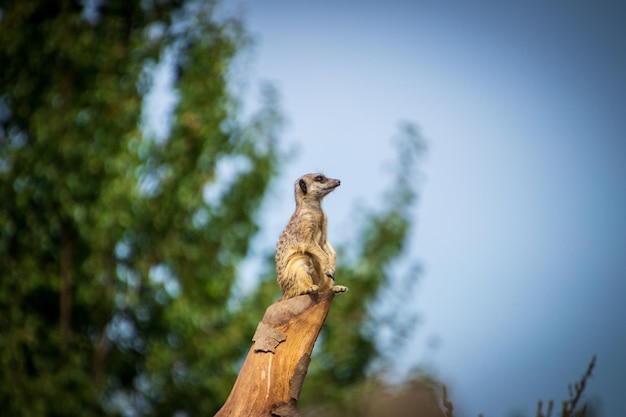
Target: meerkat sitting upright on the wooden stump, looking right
305,260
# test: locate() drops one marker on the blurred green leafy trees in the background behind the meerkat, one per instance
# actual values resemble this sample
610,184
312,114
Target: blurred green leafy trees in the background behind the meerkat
119,251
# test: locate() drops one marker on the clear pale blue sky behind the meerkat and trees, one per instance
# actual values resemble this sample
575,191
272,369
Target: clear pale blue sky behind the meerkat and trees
521,223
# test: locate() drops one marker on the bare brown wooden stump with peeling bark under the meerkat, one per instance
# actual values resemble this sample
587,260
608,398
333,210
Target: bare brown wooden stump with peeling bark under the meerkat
271,378
